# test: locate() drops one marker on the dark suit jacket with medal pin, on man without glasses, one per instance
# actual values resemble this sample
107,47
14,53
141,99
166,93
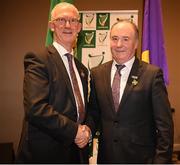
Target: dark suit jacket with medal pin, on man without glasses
142,129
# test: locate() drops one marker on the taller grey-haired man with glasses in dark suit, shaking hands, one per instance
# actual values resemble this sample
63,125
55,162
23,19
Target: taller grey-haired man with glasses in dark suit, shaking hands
56,125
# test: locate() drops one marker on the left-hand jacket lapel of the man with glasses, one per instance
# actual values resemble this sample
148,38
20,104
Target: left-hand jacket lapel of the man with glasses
61,69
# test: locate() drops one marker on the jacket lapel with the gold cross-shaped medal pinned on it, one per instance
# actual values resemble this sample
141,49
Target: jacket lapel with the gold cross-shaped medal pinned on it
132,81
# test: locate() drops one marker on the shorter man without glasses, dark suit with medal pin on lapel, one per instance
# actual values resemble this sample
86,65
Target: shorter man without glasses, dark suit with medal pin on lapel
129,101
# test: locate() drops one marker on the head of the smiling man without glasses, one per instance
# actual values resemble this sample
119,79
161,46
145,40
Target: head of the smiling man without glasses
123,41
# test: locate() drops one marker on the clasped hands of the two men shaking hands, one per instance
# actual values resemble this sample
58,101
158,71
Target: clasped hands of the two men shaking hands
83,136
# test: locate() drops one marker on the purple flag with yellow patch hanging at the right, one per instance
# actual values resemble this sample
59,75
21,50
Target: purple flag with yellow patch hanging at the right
153,50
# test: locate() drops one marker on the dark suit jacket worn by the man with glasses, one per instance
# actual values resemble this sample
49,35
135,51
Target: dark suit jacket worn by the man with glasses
50,124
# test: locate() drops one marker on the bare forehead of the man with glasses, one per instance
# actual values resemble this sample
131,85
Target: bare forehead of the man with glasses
64,11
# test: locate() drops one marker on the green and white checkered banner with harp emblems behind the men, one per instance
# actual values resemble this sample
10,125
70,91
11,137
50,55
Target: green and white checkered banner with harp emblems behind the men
93,41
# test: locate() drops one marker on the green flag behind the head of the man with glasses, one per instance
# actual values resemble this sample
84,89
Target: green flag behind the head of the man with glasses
49,36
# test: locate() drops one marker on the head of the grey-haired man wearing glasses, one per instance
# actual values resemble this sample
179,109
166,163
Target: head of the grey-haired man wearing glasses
65,25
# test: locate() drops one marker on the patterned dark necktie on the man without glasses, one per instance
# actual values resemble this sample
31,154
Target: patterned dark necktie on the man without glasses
116,86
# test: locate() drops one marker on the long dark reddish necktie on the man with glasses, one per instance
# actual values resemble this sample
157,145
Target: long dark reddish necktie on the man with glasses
81,110
